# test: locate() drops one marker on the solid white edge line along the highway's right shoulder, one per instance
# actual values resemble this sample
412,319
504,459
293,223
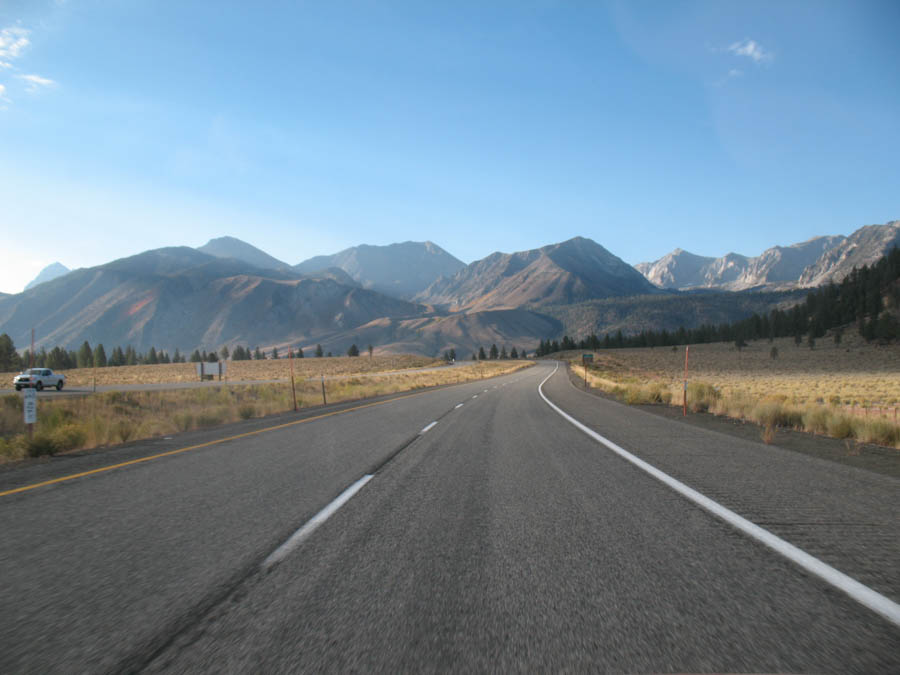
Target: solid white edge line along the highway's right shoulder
878,603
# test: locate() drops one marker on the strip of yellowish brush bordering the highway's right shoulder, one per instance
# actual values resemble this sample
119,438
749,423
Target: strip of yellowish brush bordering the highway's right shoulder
771,411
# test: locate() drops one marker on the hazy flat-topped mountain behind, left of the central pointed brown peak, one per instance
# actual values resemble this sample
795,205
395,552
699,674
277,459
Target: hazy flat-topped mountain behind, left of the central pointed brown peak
401,270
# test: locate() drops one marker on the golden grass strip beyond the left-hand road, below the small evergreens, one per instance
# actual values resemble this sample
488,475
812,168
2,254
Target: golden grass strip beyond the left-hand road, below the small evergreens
240,371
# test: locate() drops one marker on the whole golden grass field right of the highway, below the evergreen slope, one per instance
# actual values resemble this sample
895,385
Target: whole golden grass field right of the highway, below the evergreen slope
850,390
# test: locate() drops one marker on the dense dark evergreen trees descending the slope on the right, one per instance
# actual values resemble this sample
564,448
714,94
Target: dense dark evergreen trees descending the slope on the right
868,297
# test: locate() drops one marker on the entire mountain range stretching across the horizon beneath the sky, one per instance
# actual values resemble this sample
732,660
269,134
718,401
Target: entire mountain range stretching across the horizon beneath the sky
413,296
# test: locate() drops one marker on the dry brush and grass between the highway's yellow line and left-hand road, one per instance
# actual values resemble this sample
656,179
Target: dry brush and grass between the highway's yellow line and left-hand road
118,417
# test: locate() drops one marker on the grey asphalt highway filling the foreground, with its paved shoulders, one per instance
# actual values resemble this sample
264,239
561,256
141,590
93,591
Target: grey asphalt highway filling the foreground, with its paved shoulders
502,538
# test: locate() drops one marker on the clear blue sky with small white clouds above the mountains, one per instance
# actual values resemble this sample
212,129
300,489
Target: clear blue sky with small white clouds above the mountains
304,128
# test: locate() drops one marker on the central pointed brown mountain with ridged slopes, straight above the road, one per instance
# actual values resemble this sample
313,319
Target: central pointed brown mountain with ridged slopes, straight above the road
571,271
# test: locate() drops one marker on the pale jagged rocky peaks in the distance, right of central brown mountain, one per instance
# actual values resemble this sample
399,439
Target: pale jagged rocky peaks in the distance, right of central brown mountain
777,266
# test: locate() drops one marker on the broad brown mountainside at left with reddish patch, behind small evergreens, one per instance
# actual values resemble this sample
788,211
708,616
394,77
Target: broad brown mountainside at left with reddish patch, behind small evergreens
180,297
